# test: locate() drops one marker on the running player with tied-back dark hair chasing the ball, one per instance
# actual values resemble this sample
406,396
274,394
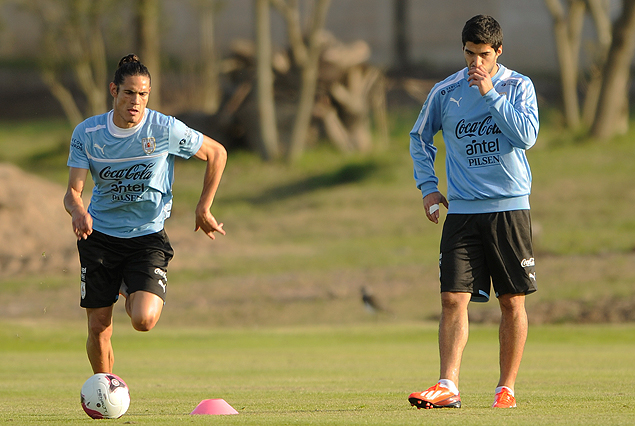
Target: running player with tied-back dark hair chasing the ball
122,245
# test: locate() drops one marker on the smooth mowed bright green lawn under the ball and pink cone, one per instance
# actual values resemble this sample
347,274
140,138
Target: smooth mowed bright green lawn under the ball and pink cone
571,375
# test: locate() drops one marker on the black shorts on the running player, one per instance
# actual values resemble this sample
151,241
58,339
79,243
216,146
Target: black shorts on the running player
107,262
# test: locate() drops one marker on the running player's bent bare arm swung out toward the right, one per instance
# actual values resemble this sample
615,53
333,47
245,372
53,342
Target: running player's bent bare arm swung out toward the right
216,157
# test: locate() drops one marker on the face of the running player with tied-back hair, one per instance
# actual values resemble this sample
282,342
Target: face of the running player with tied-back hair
130,100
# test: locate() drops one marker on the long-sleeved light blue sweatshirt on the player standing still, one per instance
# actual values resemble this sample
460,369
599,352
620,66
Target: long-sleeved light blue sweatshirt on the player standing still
485,139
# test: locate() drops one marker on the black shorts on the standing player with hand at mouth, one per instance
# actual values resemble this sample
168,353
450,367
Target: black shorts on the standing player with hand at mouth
479,251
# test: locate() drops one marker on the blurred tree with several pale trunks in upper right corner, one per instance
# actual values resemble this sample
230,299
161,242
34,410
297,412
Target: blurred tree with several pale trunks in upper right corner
605,106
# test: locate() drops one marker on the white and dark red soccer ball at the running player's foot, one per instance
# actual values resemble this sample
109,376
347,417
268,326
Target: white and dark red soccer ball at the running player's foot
105,396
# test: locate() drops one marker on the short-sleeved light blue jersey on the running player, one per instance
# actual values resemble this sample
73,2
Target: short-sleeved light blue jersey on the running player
133,170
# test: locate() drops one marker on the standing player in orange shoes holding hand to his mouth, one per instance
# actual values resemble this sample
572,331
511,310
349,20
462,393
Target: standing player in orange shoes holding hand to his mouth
489,116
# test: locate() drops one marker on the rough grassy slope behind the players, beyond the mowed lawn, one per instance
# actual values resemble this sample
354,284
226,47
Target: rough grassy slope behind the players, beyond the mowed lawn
301,240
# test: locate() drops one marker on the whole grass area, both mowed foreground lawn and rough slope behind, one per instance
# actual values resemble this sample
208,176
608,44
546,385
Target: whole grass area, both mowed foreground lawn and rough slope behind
269,317
